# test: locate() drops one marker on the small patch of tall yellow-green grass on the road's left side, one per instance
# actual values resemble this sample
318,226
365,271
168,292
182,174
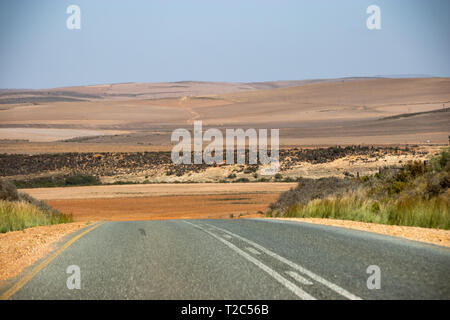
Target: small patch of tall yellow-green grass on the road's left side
18,215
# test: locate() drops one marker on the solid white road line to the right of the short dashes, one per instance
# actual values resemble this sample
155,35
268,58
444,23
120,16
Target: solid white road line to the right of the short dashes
295,266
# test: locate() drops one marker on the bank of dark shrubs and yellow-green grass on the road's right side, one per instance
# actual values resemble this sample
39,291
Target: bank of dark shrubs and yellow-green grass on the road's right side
417,194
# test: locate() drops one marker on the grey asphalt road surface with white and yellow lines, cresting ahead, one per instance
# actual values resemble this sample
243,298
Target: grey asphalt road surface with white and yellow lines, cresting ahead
241,259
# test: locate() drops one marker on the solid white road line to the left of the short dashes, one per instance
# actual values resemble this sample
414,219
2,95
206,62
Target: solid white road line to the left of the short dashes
289,285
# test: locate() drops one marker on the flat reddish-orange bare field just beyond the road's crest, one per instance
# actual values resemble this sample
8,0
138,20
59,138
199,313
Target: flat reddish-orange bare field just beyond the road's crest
166,207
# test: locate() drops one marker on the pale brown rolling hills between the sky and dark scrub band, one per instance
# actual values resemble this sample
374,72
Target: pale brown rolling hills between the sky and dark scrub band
316,112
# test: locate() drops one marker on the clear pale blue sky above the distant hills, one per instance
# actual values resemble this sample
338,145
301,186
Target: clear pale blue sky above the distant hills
218,40
